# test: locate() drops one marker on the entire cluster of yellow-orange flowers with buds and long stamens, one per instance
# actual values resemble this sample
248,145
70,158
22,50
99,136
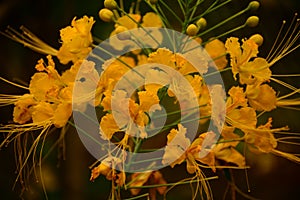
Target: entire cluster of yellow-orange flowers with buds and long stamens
134,92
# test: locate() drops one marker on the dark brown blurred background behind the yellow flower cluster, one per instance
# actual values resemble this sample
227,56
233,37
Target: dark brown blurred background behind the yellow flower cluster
270,177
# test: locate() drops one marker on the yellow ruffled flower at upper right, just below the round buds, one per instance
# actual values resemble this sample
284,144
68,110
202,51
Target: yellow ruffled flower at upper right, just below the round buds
244,61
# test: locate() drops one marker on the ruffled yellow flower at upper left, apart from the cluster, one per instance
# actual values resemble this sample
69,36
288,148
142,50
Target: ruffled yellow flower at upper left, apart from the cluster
76,40
